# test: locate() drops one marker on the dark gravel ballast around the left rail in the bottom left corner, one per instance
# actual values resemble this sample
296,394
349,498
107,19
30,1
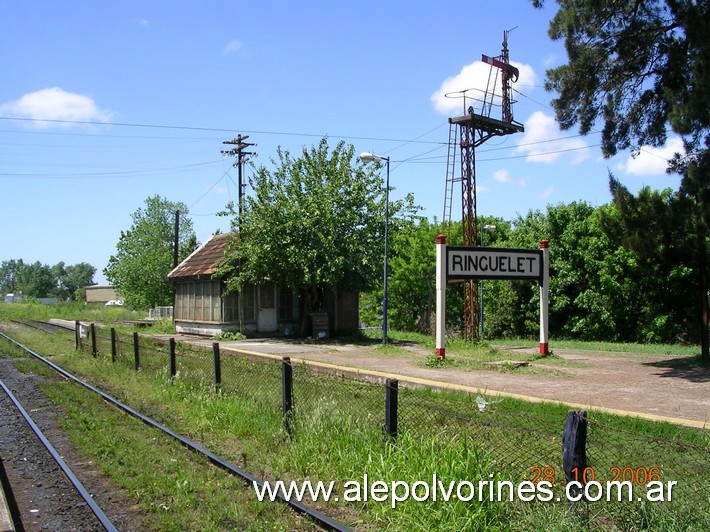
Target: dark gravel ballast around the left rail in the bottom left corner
41,493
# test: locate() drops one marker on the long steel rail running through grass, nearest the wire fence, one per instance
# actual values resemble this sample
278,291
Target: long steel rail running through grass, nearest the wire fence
317,517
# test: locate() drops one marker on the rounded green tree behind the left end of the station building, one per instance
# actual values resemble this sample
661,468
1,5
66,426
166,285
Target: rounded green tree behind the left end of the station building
144,253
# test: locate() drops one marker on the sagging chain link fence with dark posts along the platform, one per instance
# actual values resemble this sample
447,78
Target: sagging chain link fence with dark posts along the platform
522,443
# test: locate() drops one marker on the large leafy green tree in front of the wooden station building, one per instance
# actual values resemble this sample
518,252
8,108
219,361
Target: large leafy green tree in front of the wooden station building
314,222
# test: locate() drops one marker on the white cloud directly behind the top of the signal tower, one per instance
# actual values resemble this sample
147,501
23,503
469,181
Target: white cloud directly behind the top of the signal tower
473,78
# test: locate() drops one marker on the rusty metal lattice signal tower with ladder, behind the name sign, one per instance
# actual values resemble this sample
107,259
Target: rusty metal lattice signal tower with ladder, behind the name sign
470,131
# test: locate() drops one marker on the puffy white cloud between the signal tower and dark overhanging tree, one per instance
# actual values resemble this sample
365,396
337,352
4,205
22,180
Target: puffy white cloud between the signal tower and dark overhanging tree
543,142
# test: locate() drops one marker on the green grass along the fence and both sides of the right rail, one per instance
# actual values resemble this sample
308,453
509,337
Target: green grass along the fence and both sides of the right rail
337,436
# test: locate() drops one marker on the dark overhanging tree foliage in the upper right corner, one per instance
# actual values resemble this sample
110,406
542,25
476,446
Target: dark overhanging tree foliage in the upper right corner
643,68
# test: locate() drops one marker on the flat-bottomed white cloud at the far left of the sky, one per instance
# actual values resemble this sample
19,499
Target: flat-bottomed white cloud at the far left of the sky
57,105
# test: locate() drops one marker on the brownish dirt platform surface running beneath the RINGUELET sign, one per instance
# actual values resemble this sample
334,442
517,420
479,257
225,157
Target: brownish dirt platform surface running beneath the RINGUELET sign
657,385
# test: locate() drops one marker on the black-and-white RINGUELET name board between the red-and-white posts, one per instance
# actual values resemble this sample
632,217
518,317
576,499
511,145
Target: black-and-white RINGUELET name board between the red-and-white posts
493,263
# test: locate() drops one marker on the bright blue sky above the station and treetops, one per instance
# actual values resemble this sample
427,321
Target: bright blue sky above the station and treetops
103,105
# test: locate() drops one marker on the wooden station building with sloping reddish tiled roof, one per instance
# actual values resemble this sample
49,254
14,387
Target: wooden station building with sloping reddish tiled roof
203,307
